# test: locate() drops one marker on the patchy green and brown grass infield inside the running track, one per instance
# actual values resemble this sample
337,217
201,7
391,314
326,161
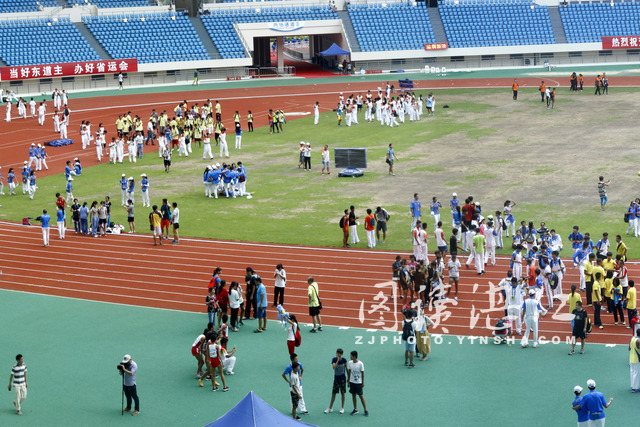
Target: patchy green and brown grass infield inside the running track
482,144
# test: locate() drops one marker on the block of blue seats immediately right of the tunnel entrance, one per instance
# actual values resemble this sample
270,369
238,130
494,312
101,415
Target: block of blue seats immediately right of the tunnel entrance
394,26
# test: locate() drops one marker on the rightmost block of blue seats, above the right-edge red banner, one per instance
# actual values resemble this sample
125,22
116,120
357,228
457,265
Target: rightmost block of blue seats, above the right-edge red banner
588,22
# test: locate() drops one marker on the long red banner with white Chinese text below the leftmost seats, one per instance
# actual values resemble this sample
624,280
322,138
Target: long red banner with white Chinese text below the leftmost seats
68,69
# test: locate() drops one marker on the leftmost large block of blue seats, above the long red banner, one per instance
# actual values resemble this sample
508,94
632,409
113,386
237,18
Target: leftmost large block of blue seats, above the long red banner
42,41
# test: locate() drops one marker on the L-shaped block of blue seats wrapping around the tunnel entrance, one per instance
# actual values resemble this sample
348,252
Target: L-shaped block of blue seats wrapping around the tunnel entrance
219,24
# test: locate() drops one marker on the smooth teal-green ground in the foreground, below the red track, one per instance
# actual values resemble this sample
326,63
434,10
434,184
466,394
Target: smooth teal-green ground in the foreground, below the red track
73,379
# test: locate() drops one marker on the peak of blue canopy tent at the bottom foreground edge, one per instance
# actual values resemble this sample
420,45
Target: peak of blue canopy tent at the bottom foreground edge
253,412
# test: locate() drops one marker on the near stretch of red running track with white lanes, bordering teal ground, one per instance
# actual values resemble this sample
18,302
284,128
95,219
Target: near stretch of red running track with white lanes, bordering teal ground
128,269
